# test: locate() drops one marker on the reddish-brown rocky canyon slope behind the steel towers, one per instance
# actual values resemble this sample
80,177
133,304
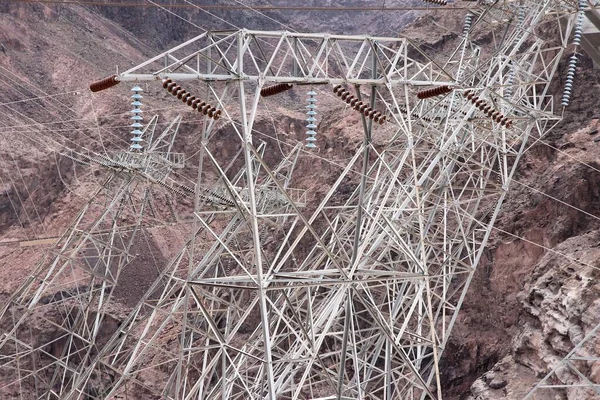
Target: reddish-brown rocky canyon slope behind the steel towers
535,293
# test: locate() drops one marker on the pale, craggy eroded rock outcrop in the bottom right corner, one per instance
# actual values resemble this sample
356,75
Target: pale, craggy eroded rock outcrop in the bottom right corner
562,306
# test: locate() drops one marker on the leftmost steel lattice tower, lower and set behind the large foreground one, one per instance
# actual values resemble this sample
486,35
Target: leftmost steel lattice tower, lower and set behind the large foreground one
53,325
